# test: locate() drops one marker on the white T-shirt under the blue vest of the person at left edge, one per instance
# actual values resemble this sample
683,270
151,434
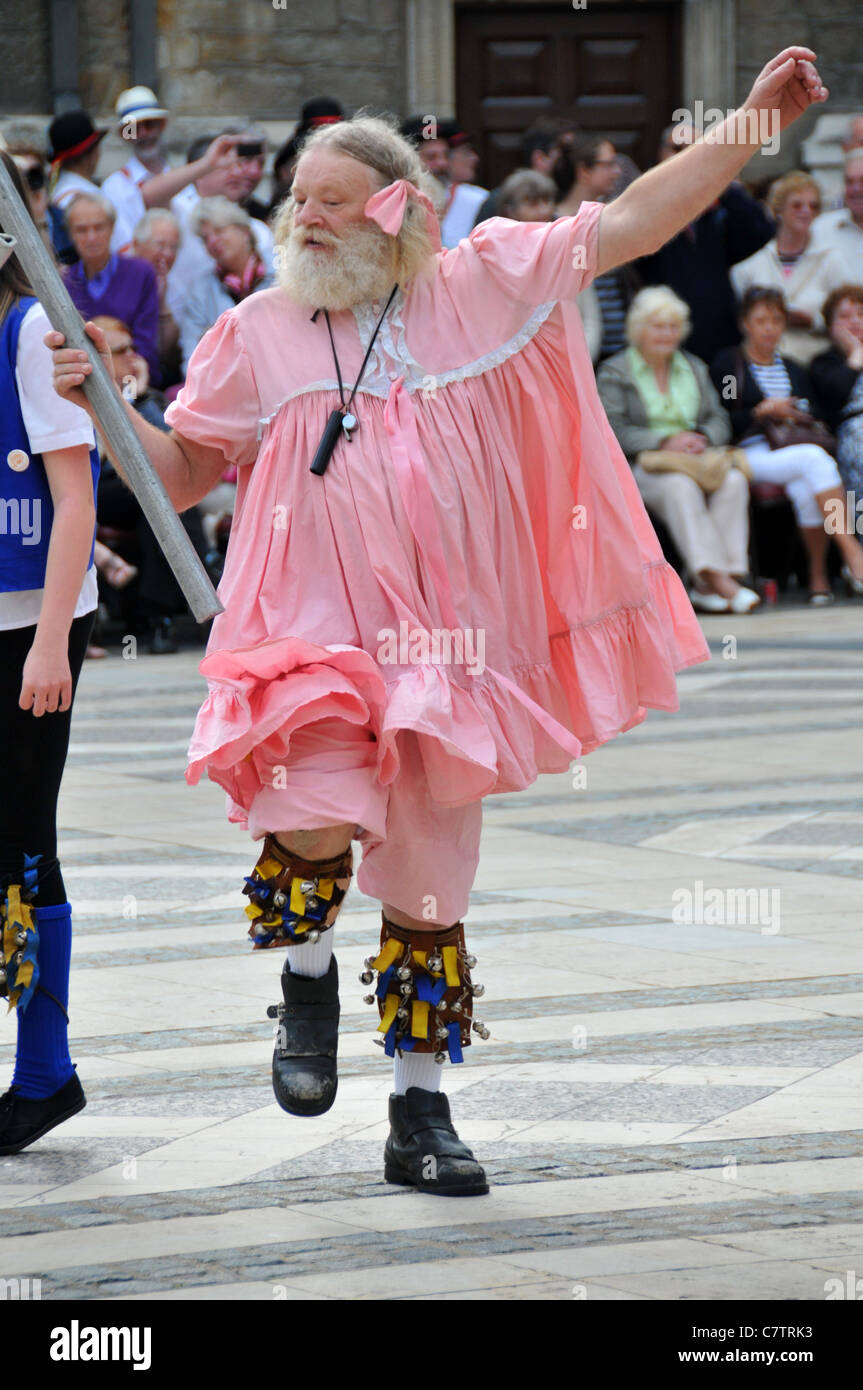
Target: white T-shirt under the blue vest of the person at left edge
51,423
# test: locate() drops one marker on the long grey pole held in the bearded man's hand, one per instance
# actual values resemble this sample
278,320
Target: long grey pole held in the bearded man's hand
102,393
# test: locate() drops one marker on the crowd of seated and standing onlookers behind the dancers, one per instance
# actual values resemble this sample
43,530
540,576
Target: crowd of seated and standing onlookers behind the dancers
730,363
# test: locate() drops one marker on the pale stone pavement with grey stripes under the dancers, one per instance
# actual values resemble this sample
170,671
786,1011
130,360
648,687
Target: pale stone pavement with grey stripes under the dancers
671,1104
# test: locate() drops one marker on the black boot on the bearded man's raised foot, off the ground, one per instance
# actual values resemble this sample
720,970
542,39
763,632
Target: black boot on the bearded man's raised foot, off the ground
305,1060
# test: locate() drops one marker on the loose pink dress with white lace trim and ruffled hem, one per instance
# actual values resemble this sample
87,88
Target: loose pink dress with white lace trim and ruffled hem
483,494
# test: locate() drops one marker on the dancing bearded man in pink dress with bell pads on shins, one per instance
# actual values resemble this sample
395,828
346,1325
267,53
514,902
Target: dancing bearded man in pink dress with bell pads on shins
441,579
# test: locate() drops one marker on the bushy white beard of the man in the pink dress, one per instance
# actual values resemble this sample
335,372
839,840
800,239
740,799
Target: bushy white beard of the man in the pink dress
359,269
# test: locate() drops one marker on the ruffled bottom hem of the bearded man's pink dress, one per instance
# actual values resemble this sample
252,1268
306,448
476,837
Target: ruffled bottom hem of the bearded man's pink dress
495,736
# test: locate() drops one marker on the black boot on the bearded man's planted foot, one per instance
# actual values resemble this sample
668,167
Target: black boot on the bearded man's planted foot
425,1152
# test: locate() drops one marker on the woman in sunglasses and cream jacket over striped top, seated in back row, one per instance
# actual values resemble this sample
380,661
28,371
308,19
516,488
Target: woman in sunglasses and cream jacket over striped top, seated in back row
794,266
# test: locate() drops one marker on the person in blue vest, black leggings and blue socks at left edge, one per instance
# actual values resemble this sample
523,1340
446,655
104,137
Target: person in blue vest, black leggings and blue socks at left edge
49,471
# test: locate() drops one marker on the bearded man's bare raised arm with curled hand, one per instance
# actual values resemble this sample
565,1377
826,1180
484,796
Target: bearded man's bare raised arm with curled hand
668,198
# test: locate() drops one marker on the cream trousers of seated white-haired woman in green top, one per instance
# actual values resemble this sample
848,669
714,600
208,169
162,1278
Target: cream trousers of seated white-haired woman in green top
709,530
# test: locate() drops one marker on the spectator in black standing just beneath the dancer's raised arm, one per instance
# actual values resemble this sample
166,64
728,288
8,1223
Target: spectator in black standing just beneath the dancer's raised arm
698,261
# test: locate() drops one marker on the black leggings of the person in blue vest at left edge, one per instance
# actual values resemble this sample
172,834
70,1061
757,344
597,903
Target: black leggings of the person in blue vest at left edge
34,757
